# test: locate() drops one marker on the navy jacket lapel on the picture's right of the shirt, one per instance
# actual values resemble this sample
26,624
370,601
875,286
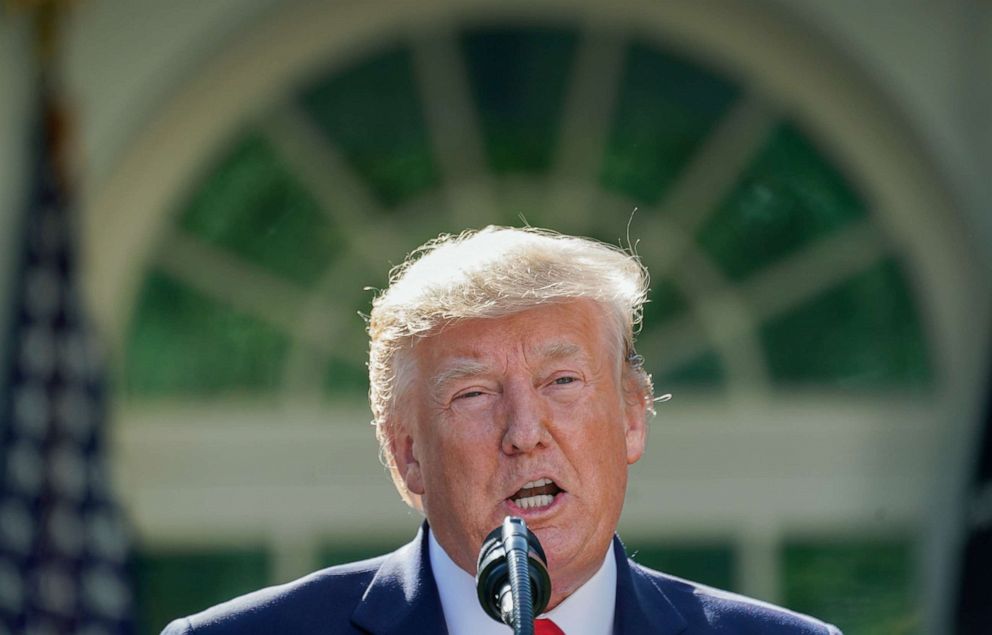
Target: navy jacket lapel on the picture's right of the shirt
641,607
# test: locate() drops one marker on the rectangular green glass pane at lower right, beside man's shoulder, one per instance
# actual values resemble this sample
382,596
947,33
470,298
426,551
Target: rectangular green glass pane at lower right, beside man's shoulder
863,587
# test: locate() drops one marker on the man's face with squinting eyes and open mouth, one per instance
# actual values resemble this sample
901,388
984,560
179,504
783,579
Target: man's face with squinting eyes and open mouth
533,399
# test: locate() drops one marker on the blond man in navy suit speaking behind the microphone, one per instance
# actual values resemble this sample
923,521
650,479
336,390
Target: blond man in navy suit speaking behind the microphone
504,382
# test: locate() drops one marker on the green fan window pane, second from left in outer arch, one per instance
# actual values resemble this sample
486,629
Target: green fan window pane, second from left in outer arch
251,205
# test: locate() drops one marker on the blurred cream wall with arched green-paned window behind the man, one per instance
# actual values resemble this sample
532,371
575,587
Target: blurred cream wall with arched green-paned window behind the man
811,185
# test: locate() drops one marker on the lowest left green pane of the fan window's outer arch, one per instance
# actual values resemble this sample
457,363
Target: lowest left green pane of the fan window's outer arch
183,342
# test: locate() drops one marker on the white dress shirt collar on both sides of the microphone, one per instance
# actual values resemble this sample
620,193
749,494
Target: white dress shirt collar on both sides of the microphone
588,611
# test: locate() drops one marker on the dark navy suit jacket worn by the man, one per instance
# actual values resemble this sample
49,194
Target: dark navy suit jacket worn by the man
396,594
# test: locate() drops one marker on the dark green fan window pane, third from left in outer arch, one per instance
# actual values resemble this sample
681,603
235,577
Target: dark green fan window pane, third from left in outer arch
371,112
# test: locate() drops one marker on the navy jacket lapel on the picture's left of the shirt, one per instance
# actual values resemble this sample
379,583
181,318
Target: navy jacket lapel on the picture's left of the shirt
403,597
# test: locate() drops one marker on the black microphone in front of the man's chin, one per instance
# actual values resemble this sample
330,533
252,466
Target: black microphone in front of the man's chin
512,579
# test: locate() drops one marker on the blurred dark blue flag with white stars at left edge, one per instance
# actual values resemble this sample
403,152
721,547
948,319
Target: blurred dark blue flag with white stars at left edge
63,546
